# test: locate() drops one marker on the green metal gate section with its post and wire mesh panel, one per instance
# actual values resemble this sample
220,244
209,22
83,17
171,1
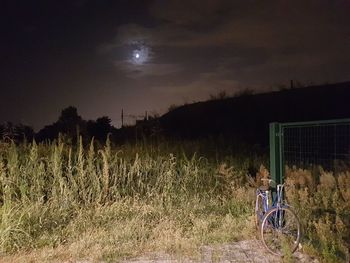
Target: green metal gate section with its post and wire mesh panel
309,144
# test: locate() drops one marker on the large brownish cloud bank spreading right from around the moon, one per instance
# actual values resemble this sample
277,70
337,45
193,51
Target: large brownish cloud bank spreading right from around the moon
224,44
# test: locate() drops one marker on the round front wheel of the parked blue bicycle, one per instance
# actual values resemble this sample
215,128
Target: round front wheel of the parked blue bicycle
280,231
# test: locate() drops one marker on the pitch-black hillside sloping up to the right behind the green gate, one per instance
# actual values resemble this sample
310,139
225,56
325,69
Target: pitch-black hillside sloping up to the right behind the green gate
247,117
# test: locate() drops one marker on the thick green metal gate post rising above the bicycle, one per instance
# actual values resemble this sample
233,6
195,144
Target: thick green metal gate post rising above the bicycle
276,144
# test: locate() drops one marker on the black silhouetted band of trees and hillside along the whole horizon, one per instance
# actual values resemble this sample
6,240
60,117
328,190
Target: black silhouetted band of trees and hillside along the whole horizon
245,117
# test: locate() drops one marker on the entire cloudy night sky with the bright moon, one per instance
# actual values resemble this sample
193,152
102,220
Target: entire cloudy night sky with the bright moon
104,55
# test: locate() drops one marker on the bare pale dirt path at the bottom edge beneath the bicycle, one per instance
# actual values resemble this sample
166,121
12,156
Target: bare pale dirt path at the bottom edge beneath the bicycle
243,251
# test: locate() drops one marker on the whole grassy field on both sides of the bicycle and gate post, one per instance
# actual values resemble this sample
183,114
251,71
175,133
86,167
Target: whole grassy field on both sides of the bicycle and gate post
61,202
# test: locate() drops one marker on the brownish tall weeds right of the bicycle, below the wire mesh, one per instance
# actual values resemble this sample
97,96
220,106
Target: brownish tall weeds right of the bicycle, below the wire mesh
322,200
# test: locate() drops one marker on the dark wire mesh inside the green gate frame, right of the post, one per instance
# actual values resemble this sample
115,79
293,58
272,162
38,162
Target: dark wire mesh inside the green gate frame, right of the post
327,145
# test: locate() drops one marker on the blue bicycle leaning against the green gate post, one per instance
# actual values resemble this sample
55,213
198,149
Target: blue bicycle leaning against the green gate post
278,224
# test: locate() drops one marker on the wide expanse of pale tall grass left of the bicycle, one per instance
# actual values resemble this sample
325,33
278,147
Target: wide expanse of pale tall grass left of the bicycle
110,203
